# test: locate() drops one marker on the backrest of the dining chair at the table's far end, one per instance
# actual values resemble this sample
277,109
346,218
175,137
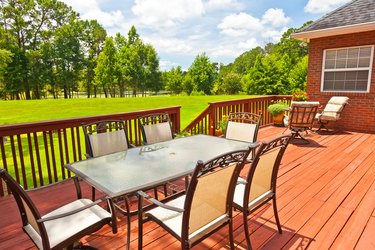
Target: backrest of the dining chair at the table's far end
243,126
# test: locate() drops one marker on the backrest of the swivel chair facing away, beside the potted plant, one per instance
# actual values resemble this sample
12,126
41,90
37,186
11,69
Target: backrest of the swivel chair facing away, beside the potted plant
302,114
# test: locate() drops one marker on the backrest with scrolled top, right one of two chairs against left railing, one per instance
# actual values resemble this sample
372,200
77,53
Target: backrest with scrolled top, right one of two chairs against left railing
155,128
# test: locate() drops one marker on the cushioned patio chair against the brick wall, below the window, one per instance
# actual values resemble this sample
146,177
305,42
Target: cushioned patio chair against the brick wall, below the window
331,112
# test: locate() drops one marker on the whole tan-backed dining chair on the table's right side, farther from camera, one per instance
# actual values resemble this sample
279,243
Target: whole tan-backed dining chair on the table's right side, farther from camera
259,186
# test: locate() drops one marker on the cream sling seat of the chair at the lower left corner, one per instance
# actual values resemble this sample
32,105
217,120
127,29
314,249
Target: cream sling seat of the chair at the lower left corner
61,229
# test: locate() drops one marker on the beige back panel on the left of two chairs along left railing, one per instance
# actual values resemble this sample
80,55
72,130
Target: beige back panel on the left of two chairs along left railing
108,142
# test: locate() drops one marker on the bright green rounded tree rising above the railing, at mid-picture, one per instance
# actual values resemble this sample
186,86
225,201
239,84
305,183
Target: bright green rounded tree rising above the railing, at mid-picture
202,73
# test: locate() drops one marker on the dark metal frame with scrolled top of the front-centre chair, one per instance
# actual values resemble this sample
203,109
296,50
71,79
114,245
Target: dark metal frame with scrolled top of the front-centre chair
201,169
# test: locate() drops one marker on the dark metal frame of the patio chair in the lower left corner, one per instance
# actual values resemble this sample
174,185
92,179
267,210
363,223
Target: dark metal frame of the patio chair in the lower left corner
20,194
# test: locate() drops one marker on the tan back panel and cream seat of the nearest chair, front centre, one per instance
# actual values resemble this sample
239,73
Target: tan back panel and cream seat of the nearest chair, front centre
208,208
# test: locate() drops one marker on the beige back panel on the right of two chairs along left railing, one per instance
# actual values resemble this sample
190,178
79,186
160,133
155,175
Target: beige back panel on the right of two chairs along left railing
158,132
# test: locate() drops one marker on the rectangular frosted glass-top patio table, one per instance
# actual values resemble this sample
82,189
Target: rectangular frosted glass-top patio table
152,165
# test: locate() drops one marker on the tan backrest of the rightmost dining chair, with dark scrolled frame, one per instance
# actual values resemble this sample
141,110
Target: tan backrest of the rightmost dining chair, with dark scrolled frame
262,175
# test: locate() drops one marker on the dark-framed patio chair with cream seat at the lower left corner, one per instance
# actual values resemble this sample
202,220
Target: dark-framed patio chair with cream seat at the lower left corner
64,226
